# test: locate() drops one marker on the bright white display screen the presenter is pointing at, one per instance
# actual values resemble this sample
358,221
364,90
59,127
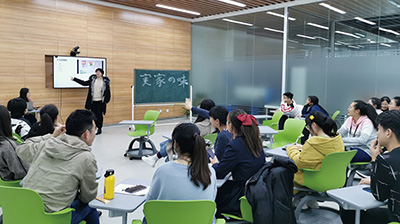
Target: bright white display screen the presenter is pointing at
65,67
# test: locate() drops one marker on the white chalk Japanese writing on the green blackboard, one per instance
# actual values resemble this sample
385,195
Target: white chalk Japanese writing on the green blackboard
160,79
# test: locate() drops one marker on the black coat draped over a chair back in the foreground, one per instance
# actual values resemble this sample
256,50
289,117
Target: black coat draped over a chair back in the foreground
270,190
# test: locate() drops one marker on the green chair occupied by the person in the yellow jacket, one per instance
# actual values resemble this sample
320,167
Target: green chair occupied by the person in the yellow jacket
332,175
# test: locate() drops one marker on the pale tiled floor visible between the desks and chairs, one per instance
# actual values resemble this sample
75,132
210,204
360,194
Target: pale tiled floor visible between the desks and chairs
109,149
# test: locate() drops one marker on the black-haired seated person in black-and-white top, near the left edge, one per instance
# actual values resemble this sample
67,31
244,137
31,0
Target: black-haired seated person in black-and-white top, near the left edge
20,125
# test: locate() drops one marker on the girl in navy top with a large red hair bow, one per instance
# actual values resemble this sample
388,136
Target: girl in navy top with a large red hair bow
243,157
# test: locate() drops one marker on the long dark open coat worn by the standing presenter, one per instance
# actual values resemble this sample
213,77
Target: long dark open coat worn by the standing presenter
106,93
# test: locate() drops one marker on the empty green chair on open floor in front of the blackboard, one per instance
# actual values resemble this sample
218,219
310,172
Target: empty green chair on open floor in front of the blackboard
142,135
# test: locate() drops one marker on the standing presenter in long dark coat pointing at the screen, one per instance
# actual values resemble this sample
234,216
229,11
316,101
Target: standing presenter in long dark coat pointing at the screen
98,95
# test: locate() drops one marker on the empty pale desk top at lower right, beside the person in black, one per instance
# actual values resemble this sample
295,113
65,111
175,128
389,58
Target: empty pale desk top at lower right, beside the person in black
355,197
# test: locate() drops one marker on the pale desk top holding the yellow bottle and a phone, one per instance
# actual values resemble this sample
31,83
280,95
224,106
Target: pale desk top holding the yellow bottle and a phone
122,202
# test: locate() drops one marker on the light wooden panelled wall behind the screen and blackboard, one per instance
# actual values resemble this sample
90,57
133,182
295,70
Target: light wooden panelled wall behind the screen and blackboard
31,29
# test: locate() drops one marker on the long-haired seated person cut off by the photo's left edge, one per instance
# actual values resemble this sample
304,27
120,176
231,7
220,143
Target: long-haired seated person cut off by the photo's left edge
11,166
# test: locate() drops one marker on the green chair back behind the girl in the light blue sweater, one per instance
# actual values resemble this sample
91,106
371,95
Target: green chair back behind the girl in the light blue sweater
179,212
